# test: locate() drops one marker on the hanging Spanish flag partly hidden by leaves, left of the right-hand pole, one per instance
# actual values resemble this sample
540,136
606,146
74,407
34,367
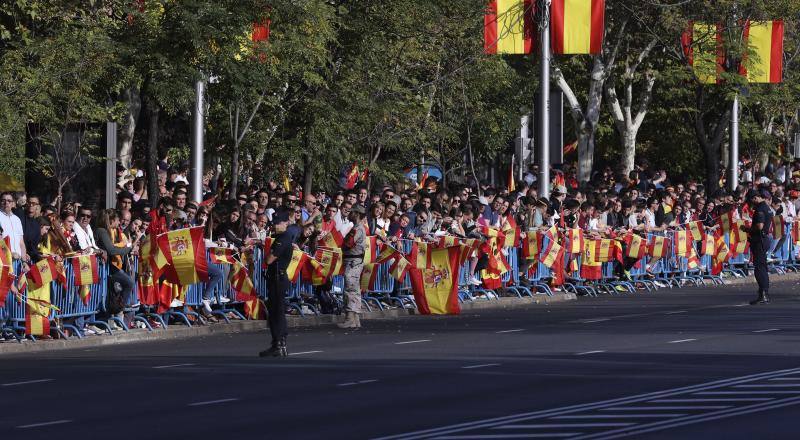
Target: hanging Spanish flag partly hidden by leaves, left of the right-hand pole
702,46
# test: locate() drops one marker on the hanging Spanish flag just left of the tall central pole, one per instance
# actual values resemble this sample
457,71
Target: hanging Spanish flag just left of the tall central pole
508,27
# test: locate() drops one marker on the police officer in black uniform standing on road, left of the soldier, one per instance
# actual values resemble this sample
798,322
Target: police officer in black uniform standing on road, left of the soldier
278,284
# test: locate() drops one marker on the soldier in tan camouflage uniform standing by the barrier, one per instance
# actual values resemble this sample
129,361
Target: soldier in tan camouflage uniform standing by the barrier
353,252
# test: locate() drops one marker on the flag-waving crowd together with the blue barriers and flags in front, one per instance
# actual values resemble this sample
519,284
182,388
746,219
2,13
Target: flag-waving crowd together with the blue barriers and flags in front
618,234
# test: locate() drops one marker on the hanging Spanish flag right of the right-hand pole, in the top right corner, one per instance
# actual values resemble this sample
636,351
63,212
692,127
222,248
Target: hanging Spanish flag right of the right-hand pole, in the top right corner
764,61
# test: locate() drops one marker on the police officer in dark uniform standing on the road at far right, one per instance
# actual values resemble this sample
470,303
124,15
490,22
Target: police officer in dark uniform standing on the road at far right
759,242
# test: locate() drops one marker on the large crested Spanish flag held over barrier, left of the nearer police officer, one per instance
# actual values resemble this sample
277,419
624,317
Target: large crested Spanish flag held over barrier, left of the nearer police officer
185,254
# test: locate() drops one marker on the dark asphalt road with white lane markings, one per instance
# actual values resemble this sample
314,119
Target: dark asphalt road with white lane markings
690,363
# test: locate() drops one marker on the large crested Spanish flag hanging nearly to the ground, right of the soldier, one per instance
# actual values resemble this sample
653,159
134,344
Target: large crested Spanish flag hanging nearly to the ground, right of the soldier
436,288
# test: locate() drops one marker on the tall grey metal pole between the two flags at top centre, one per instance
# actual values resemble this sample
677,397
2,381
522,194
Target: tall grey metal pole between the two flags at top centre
544,107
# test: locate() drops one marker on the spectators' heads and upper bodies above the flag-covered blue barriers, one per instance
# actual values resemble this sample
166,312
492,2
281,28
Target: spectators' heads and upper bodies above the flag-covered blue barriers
645,200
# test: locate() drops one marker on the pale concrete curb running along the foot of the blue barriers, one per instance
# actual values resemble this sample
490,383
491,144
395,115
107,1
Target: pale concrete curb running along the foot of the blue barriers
177,331
